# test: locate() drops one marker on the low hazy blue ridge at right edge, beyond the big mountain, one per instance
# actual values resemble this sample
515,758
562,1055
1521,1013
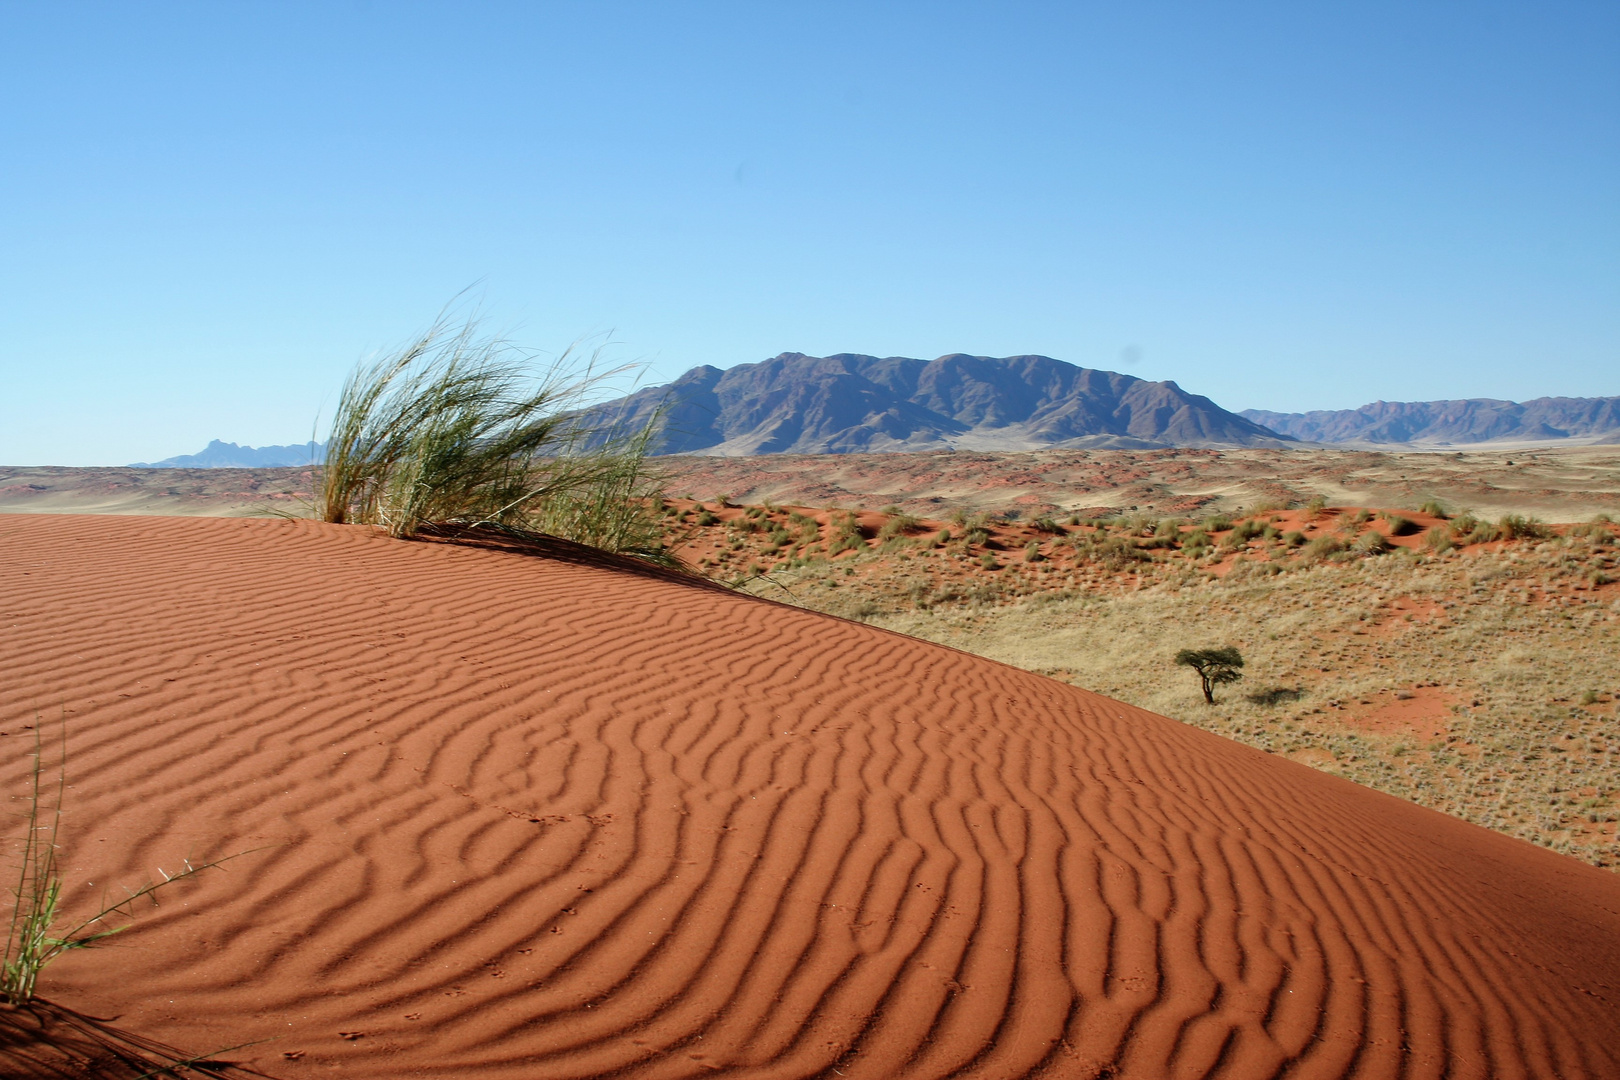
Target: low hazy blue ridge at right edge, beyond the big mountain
1439,423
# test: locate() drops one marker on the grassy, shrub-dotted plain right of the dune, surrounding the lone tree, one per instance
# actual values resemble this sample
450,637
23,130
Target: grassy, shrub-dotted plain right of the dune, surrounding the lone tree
1339,639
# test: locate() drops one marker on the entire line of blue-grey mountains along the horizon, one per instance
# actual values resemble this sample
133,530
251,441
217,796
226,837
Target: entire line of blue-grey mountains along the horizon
850,404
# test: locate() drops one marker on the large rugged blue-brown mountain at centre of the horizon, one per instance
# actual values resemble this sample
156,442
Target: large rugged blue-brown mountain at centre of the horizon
848,404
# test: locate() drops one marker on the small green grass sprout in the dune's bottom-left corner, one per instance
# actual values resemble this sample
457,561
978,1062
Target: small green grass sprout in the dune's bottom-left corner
33,940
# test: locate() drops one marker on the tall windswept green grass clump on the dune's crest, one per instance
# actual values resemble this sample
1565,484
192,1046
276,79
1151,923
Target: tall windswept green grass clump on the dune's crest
459,430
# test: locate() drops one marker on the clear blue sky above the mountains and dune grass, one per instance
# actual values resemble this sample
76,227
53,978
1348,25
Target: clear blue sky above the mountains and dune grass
210,213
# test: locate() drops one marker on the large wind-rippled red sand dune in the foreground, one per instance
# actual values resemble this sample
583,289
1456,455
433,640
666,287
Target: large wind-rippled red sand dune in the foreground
544,819
